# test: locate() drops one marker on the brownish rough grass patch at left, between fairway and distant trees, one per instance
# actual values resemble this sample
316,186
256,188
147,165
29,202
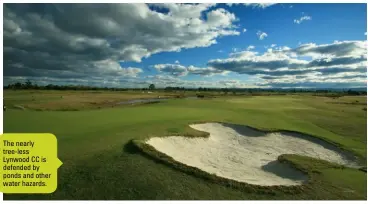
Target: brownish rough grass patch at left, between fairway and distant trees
73,100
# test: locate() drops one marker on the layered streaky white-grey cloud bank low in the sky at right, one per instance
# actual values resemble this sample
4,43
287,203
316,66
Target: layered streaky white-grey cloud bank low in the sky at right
339,62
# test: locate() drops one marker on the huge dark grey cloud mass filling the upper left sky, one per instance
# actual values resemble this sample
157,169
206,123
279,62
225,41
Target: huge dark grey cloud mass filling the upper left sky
84,40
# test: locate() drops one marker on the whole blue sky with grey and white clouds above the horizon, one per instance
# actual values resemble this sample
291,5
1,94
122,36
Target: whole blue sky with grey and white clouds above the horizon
255,45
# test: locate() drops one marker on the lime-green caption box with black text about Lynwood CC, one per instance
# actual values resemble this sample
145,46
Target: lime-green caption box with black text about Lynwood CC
29,163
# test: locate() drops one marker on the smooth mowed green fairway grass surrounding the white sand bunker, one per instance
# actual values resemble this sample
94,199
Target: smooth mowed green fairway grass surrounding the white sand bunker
99,163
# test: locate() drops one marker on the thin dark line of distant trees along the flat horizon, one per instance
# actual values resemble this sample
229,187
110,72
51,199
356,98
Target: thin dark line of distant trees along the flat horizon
29,85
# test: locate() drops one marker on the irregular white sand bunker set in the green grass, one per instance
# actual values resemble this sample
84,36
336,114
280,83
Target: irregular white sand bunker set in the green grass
247,155
